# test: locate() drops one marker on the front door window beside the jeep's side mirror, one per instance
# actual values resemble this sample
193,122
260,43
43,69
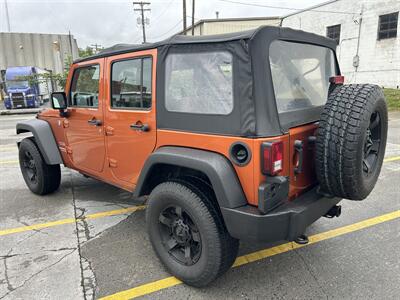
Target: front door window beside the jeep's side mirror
85,87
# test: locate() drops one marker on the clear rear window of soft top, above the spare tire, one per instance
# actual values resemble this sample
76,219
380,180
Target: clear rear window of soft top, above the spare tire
300,74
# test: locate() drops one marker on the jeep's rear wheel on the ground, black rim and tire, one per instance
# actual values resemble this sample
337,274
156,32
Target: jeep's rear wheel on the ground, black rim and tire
188,233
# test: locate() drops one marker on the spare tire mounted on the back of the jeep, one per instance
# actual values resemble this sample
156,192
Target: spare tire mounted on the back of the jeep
351,140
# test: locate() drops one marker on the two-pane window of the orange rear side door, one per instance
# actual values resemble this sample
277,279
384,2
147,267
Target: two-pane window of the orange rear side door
131,83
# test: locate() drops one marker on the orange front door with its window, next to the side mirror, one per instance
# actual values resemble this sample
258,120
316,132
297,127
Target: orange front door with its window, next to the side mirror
84,124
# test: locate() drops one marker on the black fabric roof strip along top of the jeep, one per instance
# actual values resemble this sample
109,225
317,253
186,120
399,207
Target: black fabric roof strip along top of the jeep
271,31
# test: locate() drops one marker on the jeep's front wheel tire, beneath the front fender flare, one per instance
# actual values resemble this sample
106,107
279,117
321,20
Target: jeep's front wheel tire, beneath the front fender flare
47,178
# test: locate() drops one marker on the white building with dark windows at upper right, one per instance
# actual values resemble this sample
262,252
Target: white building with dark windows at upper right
367,34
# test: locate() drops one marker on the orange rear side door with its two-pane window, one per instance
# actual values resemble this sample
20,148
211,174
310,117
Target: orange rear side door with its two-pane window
130,123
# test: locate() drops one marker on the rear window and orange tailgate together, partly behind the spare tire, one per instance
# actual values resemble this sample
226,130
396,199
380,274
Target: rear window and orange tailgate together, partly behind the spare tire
300,74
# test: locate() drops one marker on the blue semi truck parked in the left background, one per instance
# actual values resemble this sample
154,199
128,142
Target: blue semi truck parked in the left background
20,92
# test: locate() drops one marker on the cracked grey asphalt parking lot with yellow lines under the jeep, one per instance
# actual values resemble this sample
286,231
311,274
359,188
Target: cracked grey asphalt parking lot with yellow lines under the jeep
88,240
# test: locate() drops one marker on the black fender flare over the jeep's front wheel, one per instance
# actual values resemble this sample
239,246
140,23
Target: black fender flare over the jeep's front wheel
44,139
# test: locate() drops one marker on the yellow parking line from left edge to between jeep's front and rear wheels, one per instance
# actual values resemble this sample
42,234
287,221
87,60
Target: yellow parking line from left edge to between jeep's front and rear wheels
71,220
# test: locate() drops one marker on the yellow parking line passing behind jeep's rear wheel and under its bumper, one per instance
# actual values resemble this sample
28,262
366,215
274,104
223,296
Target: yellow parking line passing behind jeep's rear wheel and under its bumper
256,256
